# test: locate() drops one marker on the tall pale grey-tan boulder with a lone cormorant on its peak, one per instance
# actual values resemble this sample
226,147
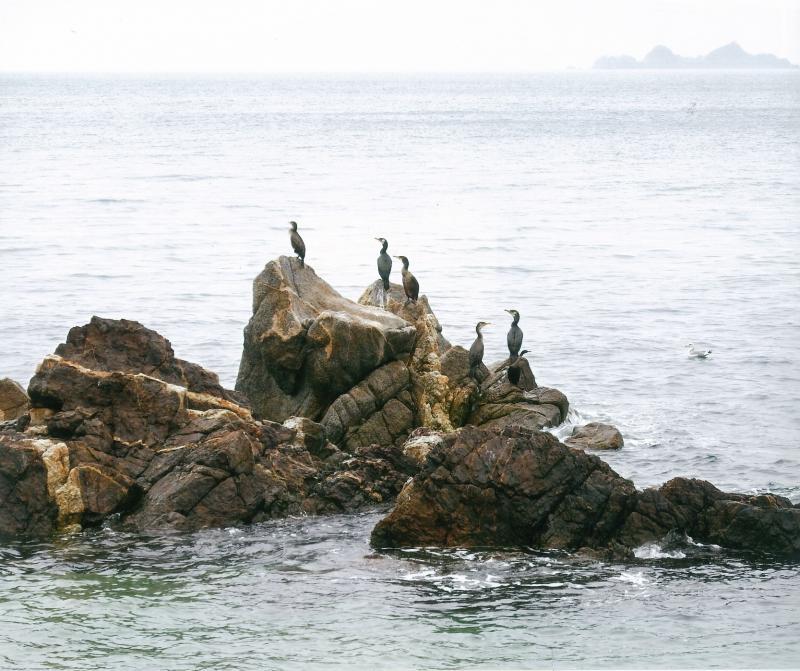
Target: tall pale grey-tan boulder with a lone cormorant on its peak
305,344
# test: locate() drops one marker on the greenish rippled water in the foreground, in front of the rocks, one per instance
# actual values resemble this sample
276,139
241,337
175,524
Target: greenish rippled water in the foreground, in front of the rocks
309,593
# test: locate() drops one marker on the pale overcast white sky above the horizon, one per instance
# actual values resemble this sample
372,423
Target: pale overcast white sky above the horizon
363,35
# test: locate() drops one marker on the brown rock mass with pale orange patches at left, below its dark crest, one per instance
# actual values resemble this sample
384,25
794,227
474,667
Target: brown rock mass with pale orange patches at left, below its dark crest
153,454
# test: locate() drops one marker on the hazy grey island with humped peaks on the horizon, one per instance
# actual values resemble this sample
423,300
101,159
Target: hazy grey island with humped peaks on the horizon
729,56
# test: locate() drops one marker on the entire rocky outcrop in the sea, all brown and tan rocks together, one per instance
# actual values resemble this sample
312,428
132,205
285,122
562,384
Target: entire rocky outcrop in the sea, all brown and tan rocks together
369,397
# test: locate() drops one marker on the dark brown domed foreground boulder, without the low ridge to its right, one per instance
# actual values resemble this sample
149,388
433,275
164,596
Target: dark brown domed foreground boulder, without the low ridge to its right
509,488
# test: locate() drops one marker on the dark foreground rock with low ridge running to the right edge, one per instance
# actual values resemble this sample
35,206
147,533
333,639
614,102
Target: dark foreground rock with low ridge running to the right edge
517,487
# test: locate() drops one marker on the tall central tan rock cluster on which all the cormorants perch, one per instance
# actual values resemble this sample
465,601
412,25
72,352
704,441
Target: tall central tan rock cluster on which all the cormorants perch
369,372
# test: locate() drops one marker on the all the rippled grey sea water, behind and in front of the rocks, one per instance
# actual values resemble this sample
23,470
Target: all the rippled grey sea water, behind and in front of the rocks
623,214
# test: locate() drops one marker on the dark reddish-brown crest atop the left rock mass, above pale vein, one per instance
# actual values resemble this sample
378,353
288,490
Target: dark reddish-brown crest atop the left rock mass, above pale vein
128,347
